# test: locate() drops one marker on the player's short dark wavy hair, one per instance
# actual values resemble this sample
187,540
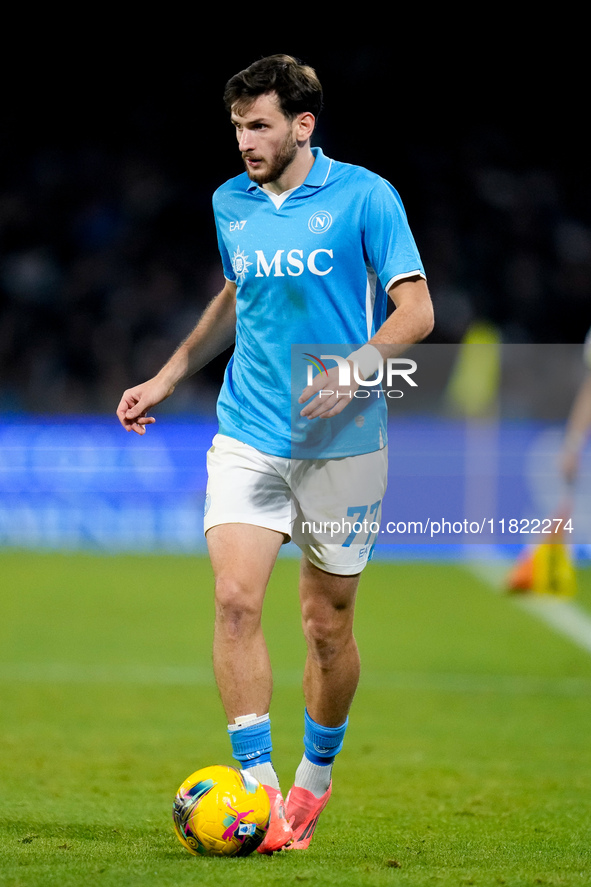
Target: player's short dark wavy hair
296,85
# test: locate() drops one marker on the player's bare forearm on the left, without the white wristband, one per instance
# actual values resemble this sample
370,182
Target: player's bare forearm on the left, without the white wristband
213,334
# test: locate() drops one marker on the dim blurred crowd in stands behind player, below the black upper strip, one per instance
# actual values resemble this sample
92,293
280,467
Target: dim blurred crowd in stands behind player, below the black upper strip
108,251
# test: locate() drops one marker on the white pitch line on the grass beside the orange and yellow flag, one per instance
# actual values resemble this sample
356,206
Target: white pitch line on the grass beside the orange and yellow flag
563,615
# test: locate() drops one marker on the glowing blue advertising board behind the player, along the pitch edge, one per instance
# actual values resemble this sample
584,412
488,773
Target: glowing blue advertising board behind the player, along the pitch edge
83,483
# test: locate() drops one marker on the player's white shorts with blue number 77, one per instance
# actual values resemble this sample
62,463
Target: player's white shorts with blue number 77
331,508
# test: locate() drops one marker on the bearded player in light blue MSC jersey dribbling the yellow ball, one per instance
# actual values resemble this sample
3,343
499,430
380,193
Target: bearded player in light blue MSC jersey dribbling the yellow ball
311,249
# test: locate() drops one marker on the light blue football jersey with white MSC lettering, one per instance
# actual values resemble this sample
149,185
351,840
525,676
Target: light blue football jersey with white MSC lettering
313,272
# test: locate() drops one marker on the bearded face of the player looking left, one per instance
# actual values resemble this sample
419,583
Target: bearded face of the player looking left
266,139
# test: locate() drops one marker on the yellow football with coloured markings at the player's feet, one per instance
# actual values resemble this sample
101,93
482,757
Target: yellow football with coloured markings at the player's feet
221,811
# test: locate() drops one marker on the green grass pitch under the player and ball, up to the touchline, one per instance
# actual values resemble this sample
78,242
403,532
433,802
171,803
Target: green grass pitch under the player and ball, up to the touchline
467,760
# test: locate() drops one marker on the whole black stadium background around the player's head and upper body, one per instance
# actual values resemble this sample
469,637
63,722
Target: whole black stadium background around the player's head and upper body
110,151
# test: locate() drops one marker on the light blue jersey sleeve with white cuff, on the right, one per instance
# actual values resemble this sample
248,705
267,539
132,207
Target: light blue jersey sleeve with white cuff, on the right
388,241
